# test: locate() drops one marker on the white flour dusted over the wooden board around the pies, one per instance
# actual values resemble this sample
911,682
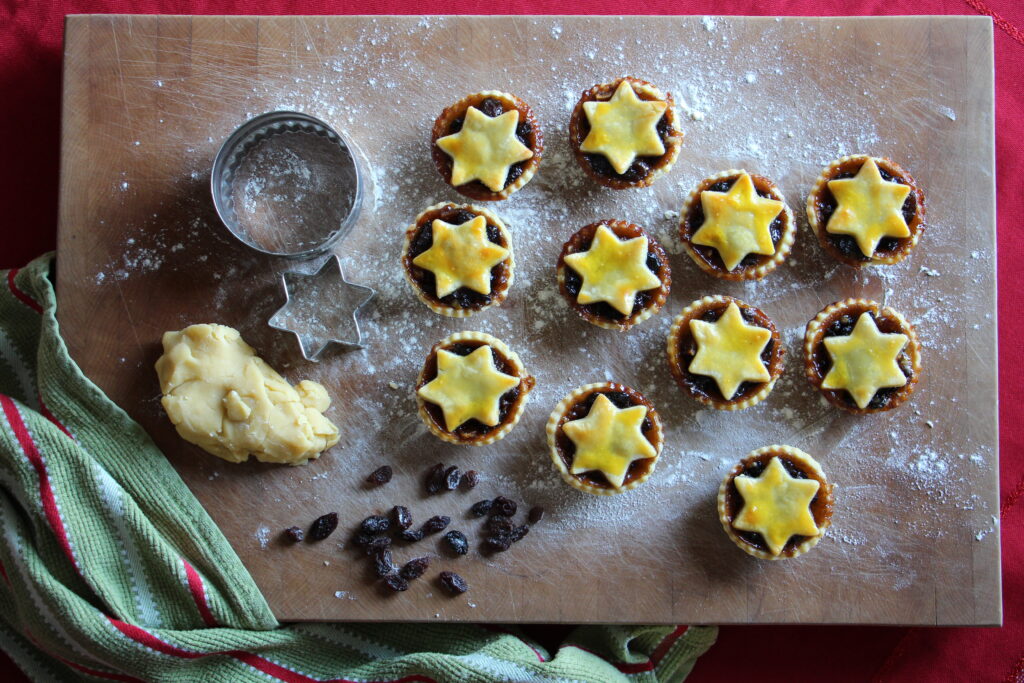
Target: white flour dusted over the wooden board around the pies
741,109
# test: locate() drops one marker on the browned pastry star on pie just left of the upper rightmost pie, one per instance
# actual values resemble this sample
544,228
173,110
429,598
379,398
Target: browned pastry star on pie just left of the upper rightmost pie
737,223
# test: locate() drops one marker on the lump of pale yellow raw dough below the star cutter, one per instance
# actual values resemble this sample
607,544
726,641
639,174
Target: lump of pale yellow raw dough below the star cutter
228,401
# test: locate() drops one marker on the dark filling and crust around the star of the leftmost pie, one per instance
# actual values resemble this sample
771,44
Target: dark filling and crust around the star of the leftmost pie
462,297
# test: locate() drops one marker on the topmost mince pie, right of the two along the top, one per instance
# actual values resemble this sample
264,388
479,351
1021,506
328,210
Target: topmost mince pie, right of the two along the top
625,134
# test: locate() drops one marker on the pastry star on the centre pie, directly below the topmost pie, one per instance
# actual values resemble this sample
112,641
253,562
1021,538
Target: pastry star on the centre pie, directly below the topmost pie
614,271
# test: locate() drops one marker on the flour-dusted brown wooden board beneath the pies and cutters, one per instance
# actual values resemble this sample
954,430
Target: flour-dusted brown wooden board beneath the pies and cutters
148,101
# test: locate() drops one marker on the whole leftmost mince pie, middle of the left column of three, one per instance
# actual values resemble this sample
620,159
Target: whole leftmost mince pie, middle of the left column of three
458,260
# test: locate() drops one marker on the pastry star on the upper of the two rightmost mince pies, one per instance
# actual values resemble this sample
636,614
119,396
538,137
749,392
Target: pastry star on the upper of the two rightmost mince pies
870,208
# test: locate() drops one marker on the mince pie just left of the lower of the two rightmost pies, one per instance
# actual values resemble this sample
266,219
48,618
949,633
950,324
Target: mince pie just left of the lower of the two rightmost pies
724,353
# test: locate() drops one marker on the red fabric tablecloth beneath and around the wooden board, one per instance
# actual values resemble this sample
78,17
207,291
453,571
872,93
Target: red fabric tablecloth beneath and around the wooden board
31,34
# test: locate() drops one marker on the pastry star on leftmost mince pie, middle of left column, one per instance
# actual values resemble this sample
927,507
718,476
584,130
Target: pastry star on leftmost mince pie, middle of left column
461,257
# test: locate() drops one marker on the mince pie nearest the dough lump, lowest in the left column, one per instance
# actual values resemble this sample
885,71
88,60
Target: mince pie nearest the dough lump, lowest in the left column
473,390
